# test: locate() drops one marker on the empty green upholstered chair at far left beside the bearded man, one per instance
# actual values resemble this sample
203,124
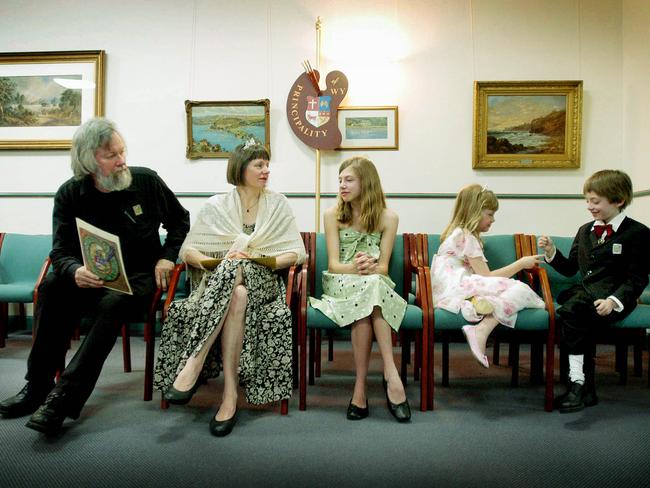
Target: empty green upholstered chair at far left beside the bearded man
21,262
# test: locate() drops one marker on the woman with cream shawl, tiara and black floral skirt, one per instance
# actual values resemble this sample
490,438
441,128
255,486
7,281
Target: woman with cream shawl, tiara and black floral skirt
240,301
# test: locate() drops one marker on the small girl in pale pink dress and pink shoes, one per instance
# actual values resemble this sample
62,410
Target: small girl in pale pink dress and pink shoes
462,281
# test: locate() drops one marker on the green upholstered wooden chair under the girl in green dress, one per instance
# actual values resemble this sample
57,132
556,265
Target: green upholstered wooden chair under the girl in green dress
311,320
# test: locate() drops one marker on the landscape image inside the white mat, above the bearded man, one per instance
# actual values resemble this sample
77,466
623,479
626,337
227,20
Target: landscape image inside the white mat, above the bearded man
39,101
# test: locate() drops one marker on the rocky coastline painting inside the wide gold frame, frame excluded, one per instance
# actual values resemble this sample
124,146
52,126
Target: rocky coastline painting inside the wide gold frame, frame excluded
526,124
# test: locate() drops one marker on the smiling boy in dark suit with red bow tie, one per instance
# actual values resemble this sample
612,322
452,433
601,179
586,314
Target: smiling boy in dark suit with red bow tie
612,256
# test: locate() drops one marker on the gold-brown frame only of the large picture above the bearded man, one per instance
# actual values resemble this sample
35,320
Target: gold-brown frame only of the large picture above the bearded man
96,60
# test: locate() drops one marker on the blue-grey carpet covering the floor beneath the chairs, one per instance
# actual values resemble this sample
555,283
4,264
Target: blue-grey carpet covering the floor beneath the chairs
483,433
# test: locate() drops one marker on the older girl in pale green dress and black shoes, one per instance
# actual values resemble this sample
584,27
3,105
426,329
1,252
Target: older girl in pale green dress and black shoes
357,291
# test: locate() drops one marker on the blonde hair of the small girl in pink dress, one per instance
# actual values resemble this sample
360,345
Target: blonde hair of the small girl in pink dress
468,211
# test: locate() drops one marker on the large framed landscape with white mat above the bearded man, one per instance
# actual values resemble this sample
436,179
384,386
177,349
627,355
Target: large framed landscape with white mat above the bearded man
46,96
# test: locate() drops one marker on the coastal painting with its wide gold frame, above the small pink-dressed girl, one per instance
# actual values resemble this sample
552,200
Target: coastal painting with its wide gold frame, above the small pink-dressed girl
527,124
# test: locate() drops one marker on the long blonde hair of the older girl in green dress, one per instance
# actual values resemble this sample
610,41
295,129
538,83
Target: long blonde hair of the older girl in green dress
372,197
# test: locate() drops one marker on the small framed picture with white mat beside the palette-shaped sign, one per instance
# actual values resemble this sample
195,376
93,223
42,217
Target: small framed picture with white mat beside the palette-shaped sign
365,128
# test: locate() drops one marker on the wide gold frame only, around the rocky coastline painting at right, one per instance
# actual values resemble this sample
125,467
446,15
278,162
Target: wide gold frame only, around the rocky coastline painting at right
570,158
